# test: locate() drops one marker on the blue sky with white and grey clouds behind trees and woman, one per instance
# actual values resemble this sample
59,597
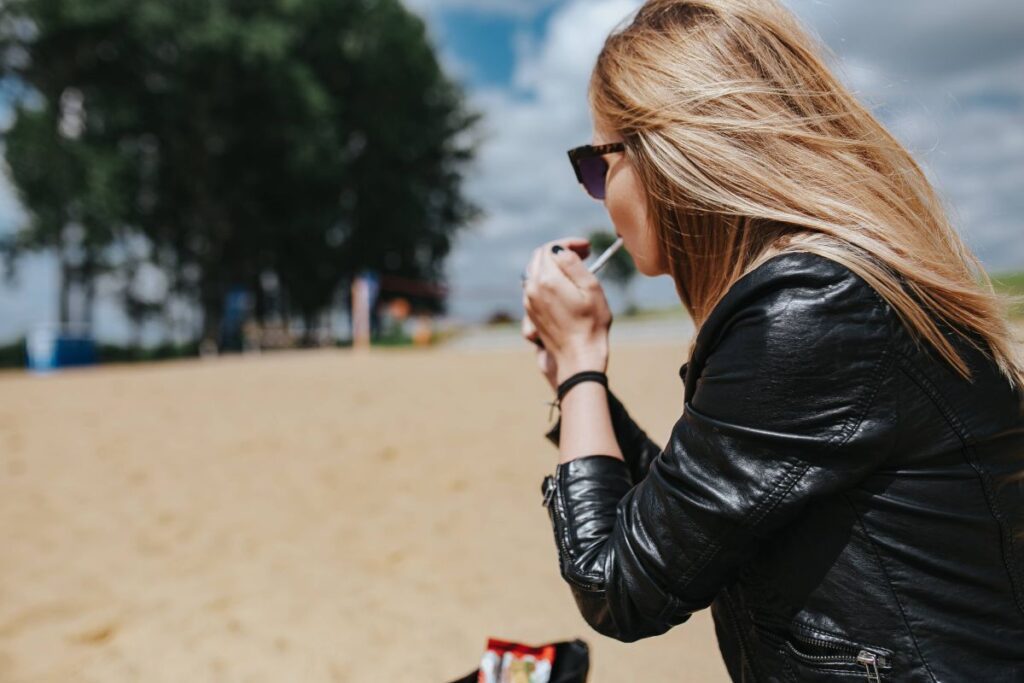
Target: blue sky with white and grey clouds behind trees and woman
945,77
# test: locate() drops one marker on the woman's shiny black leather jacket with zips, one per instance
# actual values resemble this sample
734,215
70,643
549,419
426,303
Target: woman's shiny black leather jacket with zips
848,506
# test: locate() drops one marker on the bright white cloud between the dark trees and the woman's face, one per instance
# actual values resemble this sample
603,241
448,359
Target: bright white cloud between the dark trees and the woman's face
523,178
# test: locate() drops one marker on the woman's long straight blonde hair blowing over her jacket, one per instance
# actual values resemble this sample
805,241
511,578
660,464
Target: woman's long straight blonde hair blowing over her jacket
748,147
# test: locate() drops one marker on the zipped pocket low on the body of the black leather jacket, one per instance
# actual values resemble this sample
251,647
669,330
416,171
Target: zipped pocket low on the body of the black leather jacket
814,658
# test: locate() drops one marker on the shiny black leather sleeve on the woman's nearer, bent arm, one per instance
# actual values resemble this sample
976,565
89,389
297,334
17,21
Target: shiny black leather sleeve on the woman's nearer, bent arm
783,406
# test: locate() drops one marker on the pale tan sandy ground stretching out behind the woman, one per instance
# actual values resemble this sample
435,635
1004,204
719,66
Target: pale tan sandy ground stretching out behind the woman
315,517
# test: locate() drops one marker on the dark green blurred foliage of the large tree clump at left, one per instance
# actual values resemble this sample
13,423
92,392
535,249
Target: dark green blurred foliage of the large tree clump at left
309,139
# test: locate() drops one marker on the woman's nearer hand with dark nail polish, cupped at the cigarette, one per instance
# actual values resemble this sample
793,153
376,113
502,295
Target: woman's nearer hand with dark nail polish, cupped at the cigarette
567,311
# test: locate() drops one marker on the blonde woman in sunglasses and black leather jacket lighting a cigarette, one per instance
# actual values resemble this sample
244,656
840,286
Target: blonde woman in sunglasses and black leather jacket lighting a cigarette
845,487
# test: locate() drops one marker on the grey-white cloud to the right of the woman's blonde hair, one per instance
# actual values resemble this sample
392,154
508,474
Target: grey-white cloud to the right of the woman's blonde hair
946,79
